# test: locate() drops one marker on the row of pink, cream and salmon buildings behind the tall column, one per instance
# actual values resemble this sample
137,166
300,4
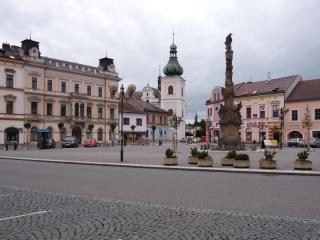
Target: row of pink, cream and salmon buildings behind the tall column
261,104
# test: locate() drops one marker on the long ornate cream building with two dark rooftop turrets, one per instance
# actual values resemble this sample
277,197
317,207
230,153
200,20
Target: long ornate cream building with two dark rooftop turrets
55,91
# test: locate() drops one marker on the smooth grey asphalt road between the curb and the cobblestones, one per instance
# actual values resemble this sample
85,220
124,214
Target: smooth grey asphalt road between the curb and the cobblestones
292,196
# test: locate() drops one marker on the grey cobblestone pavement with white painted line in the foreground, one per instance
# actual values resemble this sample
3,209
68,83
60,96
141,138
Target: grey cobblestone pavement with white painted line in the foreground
28,214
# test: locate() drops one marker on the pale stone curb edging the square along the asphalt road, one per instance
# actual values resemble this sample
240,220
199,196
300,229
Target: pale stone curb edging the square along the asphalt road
184,168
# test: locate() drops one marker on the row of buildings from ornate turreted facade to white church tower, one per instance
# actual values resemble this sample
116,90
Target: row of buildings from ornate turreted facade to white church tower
45,92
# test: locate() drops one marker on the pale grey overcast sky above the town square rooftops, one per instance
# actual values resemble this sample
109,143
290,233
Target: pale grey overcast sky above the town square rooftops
277,36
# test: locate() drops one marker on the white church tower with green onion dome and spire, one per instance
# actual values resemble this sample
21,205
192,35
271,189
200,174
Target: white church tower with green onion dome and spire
173,89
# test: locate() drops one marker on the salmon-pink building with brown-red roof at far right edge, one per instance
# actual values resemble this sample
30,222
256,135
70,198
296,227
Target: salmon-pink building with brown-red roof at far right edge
305,95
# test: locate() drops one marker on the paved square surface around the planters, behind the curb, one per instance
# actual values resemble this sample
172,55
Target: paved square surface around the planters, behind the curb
153,156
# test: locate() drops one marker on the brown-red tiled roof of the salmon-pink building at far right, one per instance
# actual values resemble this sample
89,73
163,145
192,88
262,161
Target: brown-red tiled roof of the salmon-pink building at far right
305,90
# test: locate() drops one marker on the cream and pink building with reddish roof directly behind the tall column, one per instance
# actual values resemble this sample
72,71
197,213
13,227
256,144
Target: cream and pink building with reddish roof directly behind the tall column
261,102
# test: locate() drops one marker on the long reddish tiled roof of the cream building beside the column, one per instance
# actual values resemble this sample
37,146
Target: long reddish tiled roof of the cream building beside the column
263,87
